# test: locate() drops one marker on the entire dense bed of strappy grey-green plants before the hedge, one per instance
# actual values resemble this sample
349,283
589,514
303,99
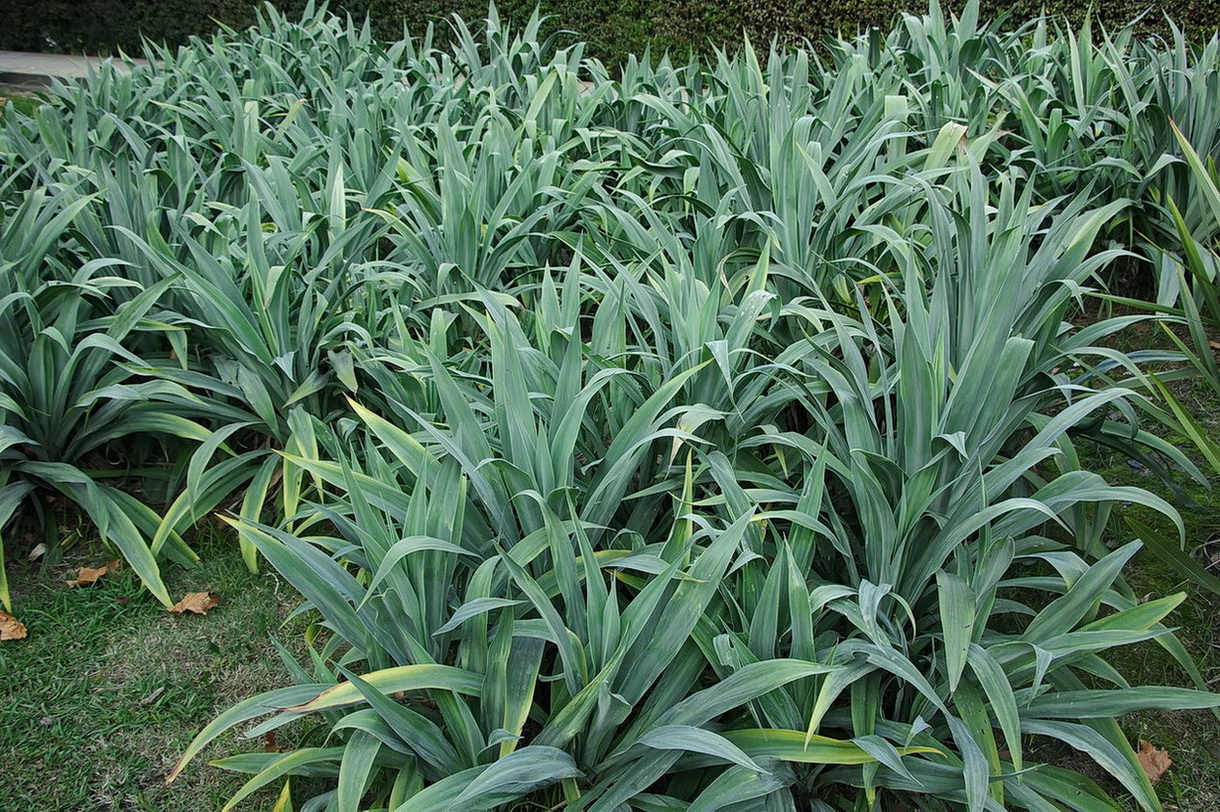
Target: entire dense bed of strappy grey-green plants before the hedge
705,437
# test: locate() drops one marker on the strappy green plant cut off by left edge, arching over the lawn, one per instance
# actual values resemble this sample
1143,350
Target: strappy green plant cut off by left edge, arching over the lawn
66,399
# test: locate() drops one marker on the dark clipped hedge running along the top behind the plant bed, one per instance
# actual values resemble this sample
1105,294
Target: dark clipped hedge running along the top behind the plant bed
612,27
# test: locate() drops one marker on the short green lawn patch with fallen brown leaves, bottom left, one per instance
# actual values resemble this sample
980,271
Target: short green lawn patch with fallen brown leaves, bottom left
102,698
